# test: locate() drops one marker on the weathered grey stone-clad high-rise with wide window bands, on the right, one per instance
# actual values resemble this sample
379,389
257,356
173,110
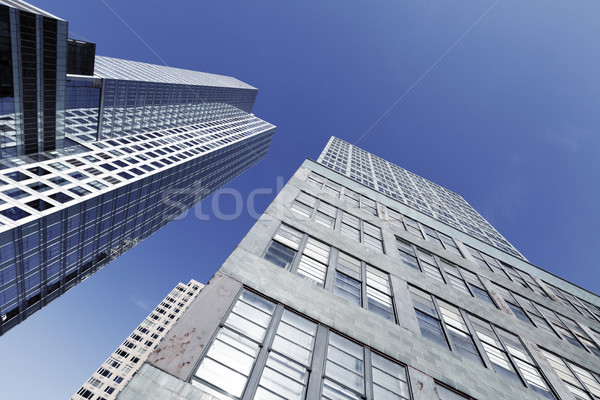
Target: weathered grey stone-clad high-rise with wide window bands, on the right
364,281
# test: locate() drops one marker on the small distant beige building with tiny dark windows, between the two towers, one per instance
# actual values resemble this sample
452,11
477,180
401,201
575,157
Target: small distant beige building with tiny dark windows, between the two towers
123,363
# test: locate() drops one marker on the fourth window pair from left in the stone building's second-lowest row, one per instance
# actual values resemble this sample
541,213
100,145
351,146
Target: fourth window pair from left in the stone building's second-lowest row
509,357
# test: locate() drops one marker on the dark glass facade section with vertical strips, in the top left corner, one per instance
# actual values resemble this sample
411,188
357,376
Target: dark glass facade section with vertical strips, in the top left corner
32,103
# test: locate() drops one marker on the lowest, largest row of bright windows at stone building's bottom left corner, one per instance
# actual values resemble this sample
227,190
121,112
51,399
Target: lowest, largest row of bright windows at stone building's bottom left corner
263,351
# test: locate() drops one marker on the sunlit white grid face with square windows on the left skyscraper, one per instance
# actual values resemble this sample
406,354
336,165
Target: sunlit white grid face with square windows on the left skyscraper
185,144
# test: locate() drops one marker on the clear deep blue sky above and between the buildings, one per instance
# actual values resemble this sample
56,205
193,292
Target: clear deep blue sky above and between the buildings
507,117
